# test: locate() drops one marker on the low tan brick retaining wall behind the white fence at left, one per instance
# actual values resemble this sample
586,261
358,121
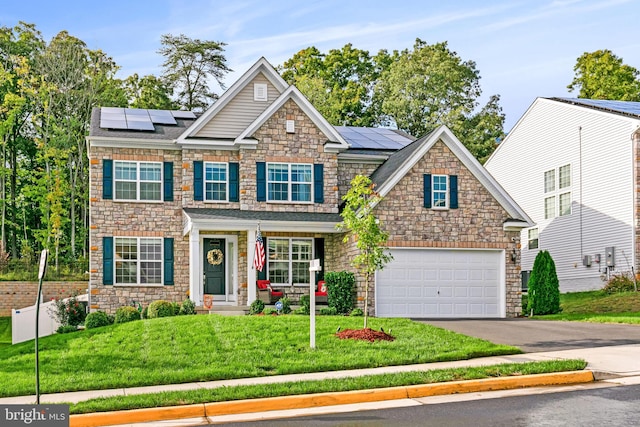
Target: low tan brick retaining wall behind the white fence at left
23,294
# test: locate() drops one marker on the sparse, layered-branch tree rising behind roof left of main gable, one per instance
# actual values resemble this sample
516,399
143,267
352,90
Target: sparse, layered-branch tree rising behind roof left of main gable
188,65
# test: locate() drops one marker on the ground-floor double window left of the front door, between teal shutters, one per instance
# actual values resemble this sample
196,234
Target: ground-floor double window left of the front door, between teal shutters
138,260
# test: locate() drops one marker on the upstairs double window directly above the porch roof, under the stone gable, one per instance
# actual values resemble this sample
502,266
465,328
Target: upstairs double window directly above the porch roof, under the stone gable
289,182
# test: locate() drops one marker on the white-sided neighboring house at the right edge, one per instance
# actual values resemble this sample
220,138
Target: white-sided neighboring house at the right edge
573,165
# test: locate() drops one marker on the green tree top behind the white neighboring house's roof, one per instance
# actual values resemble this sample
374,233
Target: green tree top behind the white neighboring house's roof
602,75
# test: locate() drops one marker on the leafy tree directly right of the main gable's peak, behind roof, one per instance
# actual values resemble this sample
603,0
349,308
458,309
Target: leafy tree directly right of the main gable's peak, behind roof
339,84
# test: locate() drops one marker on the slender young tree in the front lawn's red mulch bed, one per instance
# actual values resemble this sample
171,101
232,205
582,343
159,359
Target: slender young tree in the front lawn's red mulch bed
361,224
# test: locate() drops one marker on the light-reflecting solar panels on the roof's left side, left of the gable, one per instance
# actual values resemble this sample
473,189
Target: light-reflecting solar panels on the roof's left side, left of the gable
139,119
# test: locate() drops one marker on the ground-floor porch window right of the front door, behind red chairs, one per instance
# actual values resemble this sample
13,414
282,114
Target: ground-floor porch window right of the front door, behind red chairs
288,260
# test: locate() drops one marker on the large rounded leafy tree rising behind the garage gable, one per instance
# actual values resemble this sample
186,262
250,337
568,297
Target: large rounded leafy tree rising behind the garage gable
430,86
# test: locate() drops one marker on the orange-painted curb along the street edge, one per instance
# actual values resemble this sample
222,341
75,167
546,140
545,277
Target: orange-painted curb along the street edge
327,399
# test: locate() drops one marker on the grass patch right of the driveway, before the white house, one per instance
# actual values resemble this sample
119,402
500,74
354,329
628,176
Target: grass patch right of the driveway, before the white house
598,306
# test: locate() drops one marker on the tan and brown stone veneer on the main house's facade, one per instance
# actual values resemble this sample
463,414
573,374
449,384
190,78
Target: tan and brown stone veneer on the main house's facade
477,223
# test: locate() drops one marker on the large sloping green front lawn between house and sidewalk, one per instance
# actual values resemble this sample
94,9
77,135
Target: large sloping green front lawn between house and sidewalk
200,348
